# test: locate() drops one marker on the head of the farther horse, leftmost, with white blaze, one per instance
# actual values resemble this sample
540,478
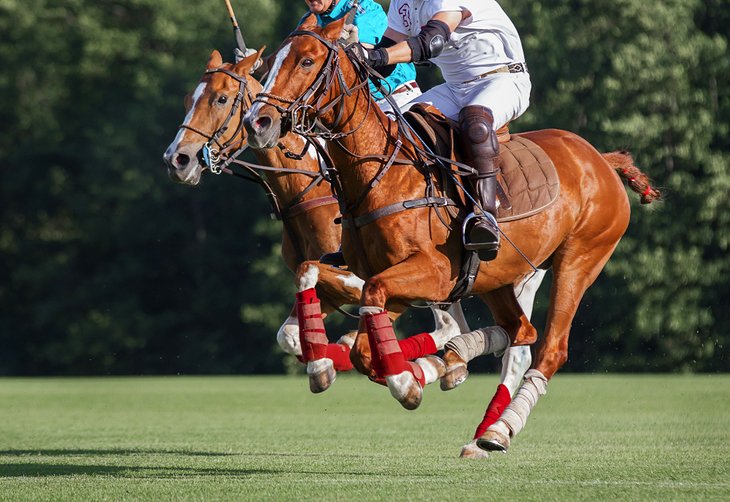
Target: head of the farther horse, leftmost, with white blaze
212,127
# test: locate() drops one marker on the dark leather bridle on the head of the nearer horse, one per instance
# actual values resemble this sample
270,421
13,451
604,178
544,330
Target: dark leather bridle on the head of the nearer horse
303,116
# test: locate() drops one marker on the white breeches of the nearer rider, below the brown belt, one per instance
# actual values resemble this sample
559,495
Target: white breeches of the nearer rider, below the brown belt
506,94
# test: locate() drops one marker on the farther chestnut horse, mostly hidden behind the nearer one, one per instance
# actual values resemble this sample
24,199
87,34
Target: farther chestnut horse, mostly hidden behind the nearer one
309,229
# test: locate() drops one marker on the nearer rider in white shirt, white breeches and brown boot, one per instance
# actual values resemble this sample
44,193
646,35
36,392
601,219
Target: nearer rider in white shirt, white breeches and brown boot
479,53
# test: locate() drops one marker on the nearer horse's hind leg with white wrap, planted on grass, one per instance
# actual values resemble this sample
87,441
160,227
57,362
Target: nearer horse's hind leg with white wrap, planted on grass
576,266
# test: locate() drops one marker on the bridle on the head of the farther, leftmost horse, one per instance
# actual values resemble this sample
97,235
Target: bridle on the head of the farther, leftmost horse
212,154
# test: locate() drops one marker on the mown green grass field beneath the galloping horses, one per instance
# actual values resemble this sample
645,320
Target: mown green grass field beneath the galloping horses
268,438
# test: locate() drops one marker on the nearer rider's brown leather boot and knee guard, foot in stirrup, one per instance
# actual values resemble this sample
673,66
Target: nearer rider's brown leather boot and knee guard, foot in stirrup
481,232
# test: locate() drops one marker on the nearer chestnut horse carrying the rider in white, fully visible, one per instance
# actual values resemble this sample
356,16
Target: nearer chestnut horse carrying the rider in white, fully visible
415,254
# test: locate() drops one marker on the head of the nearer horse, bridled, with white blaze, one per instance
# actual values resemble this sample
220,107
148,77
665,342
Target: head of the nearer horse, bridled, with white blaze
305,85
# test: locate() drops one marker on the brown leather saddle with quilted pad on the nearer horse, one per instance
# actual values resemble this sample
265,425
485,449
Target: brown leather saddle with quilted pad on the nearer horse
527,181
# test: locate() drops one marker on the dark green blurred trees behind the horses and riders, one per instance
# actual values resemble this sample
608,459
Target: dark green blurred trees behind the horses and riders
107,267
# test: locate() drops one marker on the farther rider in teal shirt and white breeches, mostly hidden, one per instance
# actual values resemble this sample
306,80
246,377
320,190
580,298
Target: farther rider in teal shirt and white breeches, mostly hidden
371,21
